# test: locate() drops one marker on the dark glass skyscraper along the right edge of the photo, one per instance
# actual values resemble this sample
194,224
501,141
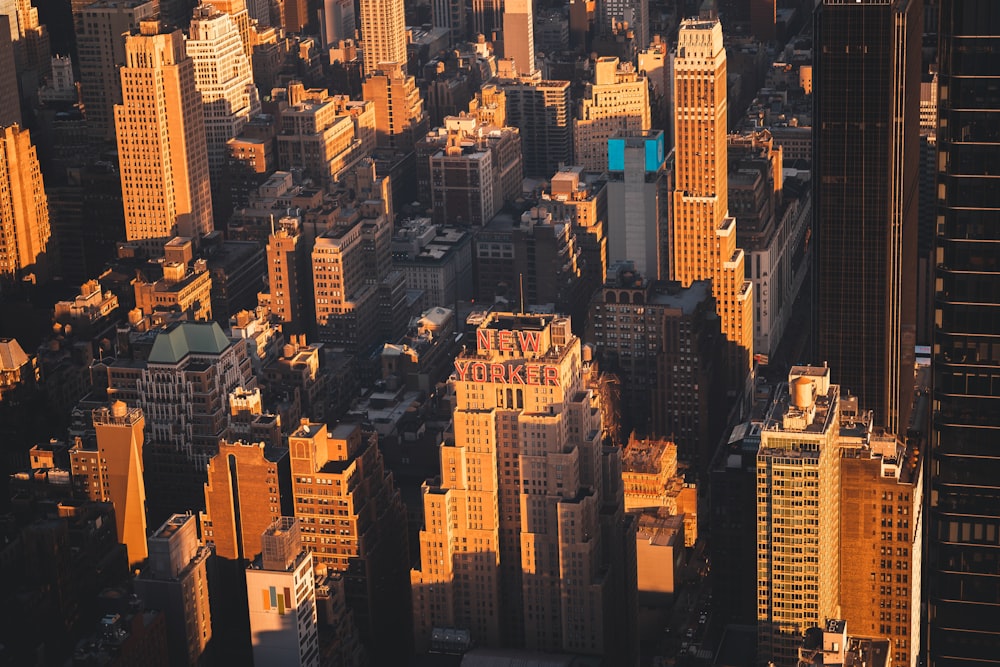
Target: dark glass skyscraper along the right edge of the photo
964,511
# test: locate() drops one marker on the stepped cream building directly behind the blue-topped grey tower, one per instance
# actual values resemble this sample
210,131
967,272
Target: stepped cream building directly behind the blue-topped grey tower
615,102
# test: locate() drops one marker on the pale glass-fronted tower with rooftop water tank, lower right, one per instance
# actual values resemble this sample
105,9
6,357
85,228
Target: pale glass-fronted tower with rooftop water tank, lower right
798,510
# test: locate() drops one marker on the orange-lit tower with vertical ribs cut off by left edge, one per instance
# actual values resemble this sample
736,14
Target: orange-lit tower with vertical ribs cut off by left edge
24,209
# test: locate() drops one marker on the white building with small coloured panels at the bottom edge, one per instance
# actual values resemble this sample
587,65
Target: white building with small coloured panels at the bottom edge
281,591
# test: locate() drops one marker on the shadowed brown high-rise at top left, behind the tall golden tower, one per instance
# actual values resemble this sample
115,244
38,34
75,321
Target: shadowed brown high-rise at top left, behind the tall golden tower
101,52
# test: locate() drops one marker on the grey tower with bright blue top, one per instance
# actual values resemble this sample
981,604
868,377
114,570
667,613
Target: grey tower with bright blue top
637,200
